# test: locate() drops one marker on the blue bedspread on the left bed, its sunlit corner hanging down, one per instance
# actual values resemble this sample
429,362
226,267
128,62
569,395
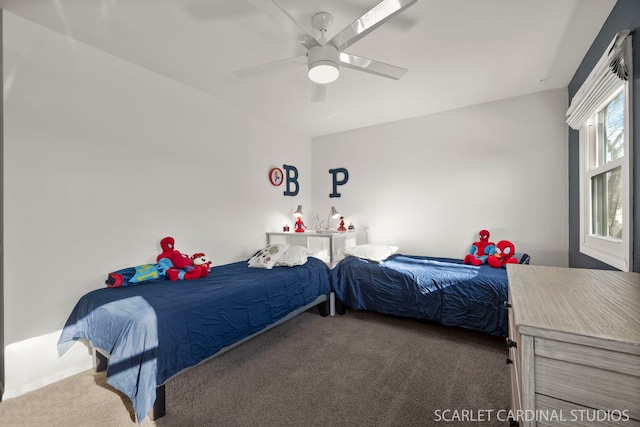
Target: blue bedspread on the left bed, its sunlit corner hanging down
153,331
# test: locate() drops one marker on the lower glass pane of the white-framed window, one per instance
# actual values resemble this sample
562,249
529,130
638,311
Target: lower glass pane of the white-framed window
606,204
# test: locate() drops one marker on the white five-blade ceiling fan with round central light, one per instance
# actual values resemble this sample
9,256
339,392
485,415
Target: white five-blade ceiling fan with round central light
324,57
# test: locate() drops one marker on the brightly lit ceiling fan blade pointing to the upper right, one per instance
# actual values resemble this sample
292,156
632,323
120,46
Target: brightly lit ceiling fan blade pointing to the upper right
368,22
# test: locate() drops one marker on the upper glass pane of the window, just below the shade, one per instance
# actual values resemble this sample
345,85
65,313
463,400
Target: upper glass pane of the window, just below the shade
610,139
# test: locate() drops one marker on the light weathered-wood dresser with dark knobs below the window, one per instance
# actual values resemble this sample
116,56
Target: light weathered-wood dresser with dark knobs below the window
574,346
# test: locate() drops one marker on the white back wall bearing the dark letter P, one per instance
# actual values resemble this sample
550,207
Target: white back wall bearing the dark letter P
430,184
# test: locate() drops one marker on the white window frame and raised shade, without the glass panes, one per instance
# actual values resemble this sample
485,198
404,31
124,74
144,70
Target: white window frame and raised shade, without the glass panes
600,89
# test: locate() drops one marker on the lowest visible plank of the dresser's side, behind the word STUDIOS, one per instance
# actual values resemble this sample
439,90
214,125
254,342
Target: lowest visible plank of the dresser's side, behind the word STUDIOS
559,413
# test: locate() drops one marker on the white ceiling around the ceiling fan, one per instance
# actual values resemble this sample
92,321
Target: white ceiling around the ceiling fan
458,52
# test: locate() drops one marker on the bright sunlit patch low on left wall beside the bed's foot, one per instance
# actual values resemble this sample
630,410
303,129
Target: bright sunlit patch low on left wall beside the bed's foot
34,363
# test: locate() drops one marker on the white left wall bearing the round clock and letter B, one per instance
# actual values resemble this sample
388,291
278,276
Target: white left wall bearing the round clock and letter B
103,159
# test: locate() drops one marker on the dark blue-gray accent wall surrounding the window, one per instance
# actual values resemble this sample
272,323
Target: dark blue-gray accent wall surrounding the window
625,15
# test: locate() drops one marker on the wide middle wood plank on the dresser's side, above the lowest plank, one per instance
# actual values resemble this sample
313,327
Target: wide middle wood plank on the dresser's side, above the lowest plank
587,385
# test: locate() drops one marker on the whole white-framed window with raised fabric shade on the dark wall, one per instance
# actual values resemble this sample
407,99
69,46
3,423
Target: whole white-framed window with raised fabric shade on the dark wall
601,112
